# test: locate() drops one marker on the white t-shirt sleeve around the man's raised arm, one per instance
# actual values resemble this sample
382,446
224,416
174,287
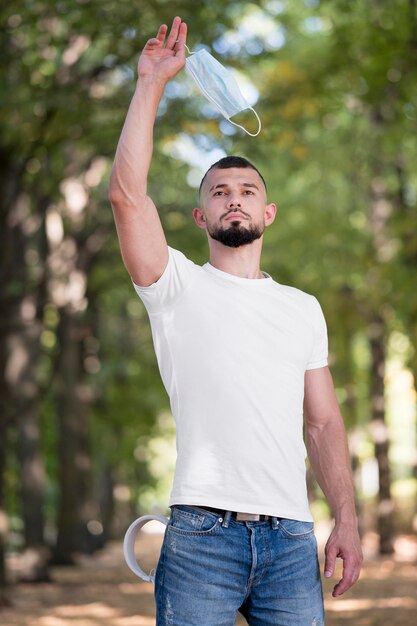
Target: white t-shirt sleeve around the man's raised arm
164,292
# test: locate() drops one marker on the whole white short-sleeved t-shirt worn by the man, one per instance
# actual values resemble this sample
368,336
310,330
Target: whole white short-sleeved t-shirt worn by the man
232,353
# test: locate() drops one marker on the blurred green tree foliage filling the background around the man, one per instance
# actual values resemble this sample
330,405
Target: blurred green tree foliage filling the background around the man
336,85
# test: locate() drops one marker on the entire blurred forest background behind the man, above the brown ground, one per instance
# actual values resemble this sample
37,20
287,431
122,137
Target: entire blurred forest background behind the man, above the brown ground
87,442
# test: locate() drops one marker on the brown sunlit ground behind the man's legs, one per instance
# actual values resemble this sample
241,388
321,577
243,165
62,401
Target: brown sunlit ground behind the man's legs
101,591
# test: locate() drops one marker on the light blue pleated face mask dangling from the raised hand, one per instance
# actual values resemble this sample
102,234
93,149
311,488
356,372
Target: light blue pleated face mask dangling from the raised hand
218,86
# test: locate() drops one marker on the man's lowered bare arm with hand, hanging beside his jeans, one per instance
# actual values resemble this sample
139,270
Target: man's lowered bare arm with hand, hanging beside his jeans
329,458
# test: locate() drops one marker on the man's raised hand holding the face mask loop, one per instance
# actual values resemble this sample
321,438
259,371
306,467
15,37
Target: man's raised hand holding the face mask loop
164,62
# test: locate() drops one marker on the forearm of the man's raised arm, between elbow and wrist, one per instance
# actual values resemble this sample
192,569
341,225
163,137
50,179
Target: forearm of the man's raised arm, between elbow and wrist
128,181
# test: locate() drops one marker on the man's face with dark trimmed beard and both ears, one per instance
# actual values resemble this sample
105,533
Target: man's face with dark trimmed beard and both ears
234,208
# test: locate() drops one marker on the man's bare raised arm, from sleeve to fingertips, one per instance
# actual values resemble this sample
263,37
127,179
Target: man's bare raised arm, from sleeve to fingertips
142,240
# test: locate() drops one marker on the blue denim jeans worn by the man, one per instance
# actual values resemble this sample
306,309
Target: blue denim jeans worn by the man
211,567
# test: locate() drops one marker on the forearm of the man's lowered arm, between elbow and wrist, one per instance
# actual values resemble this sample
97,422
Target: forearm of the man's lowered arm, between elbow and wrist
330,461
